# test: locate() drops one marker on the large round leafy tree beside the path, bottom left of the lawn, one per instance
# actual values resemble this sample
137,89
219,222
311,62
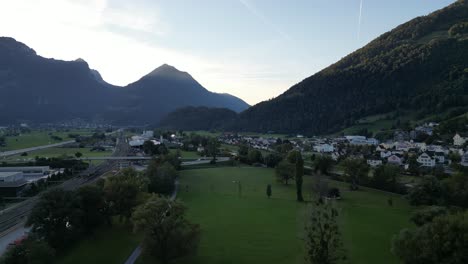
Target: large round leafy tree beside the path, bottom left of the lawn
168,235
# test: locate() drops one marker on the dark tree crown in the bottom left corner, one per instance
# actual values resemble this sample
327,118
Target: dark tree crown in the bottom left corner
29,252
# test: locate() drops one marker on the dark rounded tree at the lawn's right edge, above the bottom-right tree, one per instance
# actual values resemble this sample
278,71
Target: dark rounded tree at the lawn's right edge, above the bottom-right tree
428,192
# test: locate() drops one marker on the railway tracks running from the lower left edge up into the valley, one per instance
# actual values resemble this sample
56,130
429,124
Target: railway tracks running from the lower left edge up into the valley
13,218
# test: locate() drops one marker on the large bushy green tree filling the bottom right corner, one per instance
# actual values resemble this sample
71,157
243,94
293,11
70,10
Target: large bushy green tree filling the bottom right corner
443,240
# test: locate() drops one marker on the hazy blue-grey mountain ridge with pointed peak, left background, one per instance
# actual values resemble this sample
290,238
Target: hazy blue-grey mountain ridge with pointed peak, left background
38,89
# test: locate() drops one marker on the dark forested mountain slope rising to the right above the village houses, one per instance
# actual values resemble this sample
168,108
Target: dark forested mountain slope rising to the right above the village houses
420,66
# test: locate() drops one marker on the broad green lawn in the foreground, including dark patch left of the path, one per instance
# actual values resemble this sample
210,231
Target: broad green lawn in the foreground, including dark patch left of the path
247,227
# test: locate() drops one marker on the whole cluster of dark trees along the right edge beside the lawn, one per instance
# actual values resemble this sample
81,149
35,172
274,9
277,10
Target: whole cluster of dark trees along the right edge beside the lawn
441,222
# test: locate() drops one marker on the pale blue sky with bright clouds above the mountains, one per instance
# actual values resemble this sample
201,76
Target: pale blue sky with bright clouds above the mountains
253,49
